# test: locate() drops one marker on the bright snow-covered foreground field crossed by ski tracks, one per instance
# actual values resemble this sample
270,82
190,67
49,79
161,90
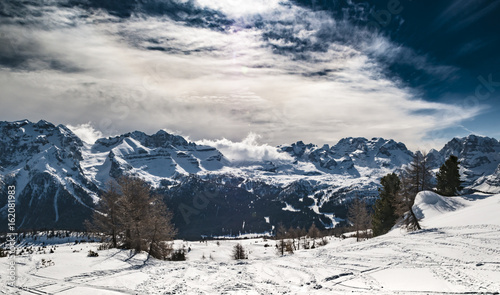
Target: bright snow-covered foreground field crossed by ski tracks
457,252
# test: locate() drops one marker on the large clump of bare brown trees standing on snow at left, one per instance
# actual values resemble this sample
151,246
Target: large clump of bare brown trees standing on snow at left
134,218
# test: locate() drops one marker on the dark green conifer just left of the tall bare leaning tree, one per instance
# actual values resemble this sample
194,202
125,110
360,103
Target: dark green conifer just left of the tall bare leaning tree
384,216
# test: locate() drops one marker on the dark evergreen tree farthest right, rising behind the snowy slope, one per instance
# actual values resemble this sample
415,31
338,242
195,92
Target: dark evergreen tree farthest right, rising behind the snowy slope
448,177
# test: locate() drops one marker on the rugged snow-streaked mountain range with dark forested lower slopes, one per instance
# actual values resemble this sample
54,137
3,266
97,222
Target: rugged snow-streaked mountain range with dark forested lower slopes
58,177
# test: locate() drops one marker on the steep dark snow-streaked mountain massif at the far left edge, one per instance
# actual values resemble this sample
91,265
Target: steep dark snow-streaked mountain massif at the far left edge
43,162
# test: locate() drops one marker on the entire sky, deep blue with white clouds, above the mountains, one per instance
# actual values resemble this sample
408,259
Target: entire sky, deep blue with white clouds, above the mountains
258,72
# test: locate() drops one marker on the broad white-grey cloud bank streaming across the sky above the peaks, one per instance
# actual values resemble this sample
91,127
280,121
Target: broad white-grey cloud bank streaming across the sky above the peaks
274,69
